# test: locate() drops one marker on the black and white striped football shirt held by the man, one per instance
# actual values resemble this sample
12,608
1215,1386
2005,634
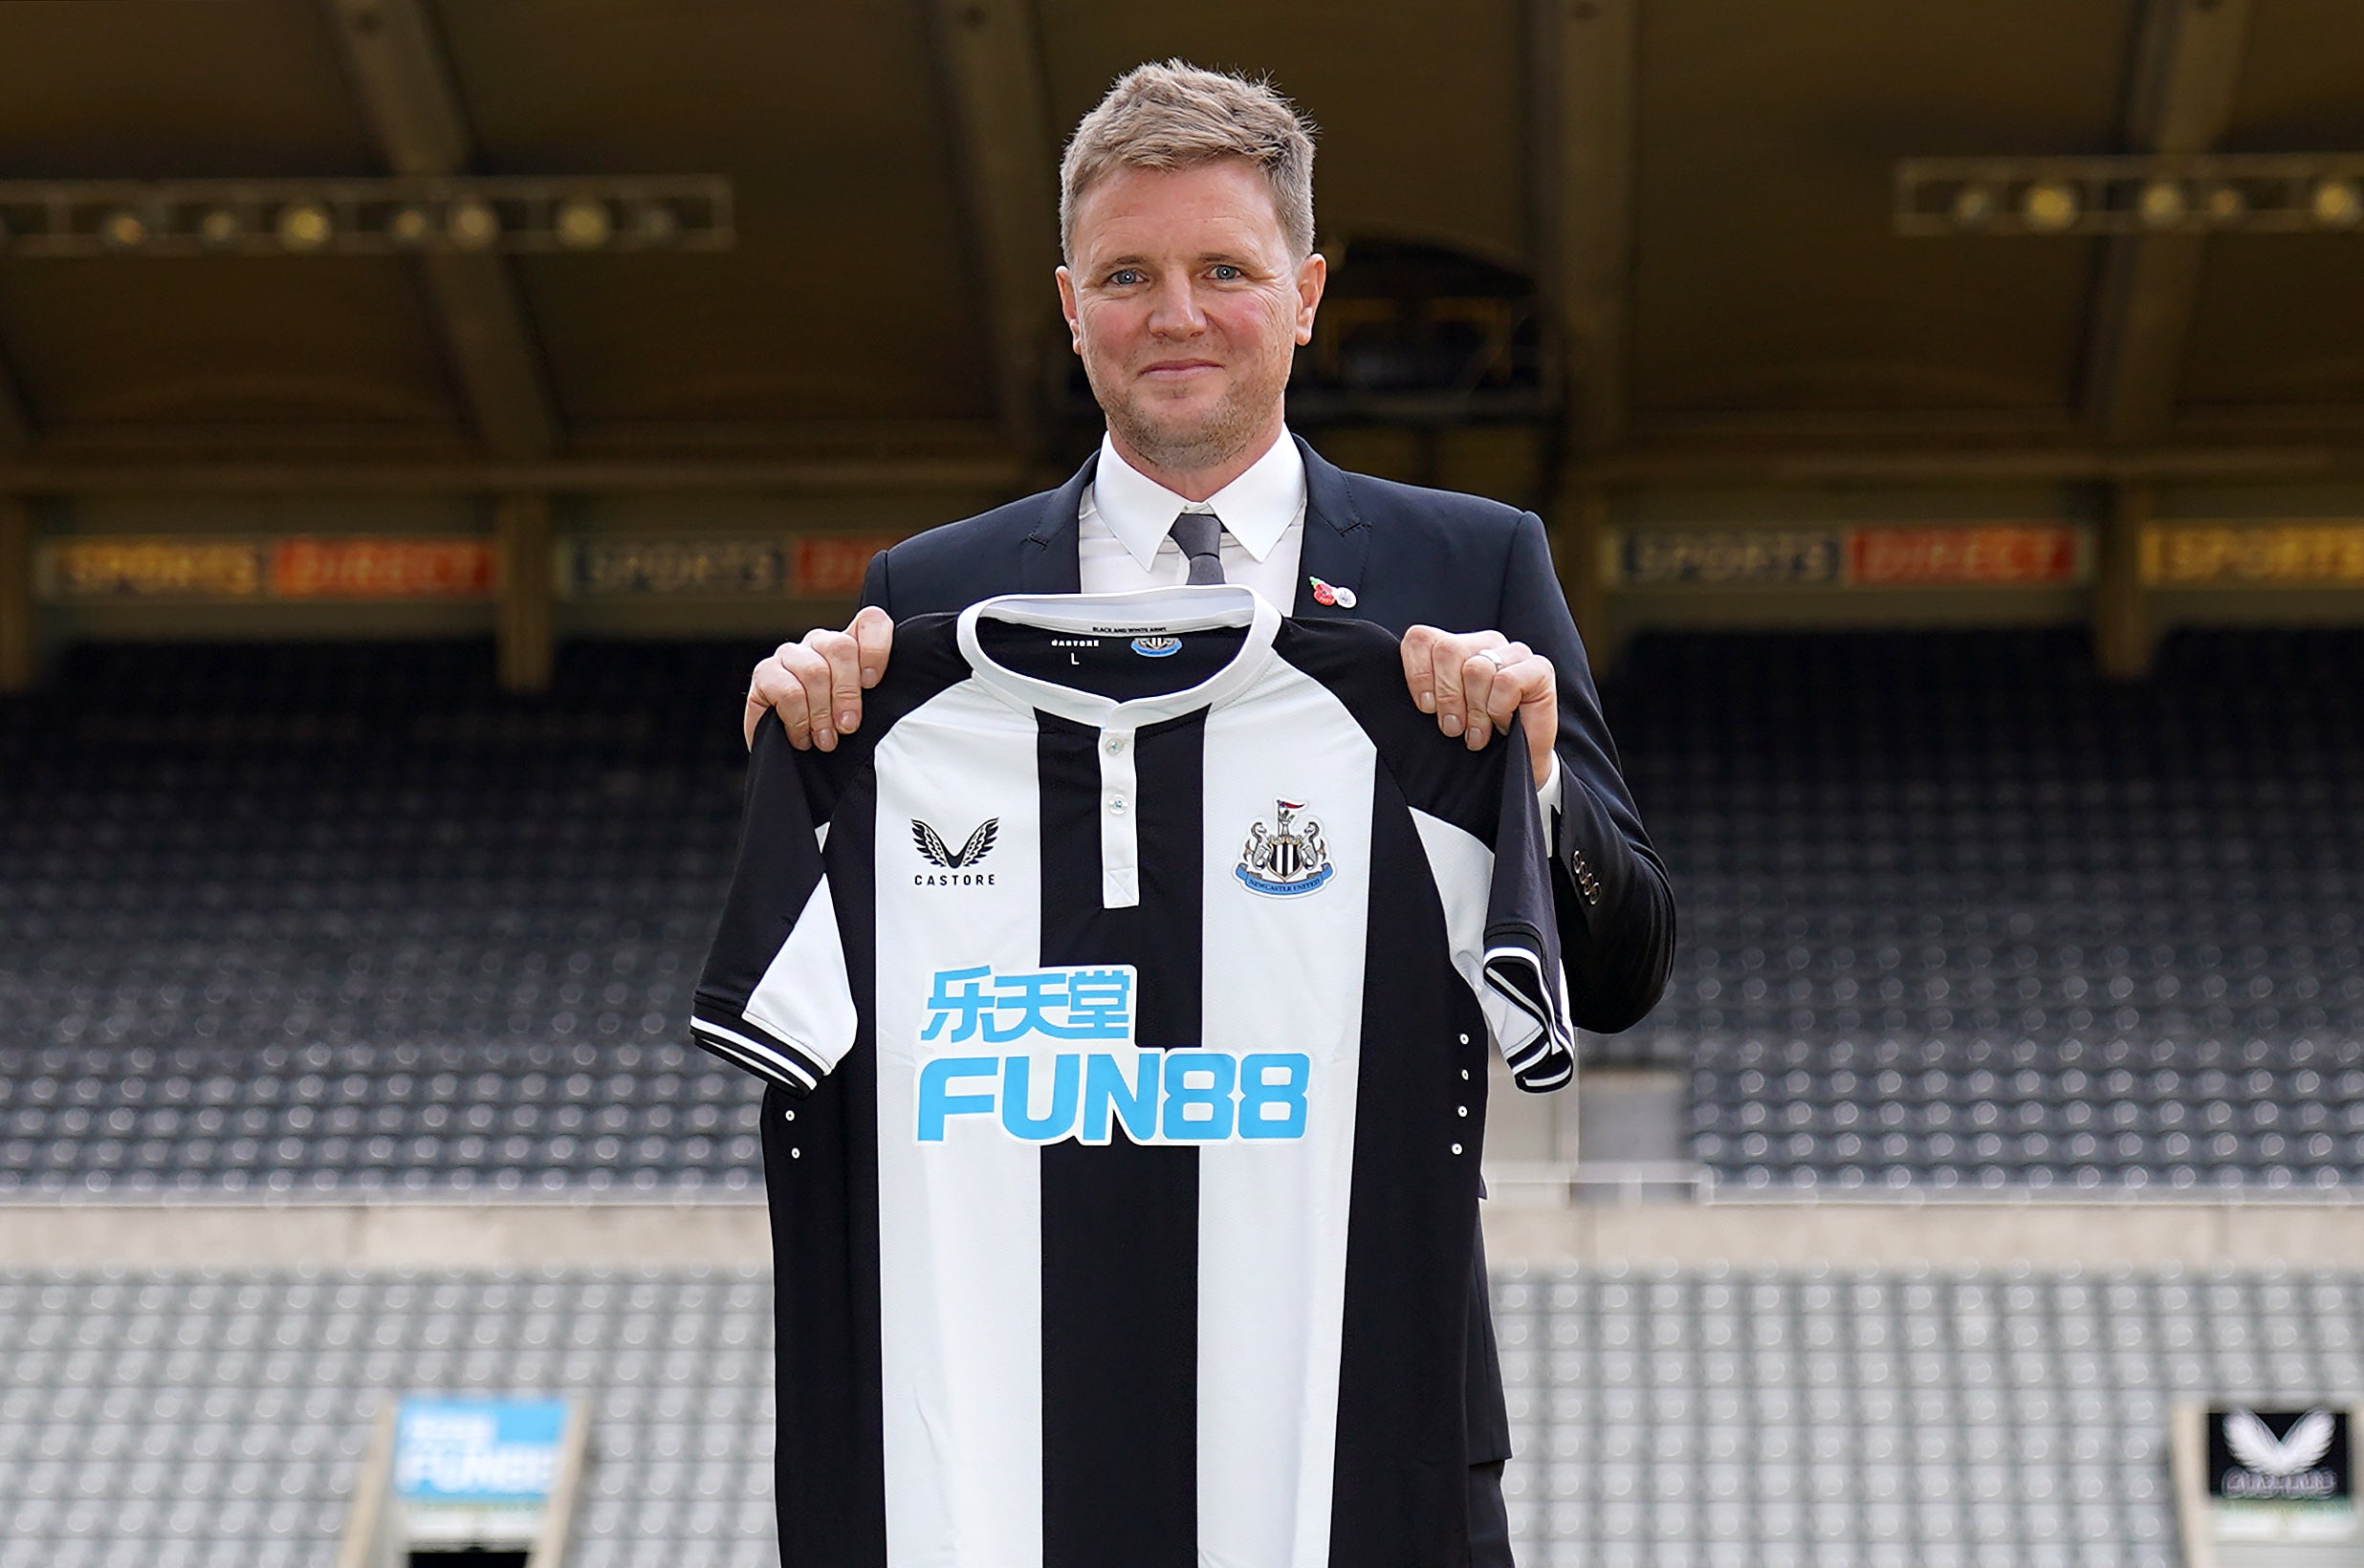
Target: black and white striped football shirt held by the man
1124,987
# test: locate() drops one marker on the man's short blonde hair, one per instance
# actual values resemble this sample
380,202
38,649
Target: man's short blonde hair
1176,115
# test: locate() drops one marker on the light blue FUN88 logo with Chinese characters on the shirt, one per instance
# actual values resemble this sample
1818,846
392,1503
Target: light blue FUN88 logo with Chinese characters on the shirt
1051,1094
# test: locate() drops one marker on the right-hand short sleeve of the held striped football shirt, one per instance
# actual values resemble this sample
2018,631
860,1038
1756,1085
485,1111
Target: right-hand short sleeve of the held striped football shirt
1502,928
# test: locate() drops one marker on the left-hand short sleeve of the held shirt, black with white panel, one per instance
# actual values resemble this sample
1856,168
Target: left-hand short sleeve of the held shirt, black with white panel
774,994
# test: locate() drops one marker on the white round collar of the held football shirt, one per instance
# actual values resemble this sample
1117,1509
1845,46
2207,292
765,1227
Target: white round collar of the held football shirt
1141,614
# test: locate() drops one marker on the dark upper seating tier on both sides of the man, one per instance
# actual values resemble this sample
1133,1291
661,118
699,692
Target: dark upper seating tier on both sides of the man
1956,916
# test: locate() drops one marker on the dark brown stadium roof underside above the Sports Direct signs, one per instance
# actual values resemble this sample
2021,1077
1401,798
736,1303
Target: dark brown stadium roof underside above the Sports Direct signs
1699,197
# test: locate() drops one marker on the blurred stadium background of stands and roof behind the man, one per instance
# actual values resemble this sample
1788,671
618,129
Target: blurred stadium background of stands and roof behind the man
1949,417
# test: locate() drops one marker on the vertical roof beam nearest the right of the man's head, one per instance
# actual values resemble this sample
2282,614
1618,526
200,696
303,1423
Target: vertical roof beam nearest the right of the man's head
1583,127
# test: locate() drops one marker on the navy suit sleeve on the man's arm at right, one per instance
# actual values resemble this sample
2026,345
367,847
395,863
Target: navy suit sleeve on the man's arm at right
1611,893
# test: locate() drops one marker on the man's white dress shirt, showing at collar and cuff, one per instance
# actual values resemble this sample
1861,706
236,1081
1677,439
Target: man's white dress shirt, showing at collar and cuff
1124,538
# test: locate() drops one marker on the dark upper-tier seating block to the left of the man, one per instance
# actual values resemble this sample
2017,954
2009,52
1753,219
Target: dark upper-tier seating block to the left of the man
311,919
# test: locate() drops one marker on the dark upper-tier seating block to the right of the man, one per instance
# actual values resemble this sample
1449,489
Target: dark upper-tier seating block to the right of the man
1963,916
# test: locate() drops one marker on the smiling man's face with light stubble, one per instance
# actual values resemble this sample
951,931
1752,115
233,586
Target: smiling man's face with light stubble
1188,309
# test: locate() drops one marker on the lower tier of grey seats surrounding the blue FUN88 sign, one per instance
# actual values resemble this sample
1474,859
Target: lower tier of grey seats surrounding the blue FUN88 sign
219,1420
